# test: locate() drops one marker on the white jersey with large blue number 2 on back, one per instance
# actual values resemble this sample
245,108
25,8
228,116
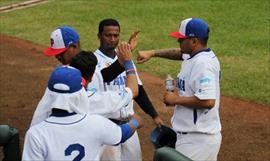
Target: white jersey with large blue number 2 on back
75,137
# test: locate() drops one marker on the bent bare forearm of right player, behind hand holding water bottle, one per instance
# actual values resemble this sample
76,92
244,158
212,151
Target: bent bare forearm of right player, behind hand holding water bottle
194,102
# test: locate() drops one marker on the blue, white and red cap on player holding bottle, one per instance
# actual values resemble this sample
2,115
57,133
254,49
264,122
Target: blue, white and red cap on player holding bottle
191,27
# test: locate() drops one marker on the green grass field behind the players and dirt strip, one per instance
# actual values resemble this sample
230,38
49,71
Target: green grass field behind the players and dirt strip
239,33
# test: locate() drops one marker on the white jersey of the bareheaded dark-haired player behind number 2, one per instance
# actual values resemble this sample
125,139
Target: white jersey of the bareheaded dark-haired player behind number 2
103,103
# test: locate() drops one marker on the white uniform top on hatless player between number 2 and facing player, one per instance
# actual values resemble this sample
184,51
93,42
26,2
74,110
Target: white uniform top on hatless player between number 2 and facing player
102,103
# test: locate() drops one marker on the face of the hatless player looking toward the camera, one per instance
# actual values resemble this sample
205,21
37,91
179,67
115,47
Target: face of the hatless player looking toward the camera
109,37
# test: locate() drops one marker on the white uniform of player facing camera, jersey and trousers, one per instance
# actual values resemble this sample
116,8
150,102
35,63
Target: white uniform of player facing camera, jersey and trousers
130,150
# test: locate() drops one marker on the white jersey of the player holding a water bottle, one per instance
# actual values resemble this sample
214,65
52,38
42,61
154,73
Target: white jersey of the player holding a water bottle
199,76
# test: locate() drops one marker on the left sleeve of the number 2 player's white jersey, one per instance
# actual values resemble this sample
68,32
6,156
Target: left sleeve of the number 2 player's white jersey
32,148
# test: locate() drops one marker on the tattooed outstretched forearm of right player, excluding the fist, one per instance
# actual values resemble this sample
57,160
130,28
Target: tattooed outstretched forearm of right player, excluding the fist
172,53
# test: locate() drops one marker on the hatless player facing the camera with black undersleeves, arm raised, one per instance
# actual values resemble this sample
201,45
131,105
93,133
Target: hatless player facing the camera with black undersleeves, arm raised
108,34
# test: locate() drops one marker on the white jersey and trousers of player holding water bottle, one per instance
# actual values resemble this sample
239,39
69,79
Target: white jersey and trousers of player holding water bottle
198,130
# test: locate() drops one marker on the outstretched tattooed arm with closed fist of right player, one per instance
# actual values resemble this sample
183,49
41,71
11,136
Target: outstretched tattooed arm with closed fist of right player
172,53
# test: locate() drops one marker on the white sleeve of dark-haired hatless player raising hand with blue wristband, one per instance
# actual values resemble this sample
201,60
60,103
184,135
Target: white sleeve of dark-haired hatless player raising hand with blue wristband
110,101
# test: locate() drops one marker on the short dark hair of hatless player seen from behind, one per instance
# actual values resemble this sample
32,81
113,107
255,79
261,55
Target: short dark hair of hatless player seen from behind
85,62
